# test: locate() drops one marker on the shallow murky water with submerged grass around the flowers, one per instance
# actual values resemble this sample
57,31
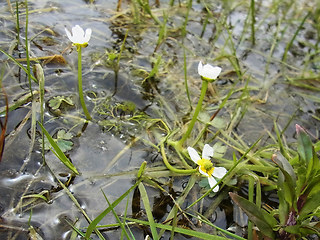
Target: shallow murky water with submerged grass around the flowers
109,155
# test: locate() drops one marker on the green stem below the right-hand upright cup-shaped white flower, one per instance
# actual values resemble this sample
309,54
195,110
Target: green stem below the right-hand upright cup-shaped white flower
195,115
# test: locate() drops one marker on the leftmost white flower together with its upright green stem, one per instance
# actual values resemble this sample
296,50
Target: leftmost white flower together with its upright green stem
80,39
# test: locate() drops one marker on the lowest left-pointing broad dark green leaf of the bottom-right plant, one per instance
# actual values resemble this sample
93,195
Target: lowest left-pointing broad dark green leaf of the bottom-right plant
263,220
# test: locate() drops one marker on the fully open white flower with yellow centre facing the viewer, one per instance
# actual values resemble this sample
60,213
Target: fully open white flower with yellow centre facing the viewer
205,165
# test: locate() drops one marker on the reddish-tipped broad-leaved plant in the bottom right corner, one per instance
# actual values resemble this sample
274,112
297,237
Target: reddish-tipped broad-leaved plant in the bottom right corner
298,192
